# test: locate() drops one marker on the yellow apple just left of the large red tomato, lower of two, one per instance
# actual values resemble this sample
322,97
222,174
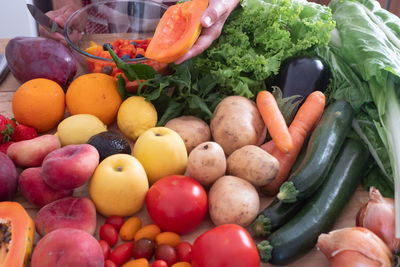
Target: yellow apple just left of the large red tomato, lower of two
119,186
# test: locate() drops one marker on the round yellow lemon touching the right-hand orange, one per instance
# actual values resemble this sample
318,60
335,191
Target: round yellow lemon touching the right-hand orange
135,116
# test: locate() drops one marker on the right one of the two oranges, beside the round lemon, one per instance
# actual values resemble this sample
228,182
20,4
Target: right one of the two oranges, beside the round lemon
96,94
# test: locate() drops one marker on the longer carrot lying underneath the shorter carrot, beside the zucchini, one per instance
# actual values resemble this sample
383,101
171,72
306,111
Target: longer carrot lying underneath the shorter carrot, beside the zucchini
302,125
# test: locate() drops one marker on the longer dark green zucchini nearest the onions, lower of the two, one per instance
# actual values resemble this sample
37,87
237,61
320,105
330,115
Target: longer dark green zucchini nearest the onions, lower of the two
318,215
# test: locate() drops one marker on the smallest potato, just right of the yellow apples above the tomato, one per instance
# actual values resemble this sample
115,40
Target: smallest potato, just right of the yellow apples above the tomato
206,163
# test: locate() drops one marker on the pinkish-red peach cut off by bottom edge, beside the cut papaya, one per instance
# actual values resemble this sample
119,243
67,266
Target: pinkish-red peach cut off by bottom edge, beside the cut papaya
67,247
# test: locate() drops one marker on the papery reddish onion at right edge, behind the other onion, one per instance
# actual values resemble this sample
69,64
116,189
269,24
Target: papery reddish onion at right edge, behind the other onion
378,216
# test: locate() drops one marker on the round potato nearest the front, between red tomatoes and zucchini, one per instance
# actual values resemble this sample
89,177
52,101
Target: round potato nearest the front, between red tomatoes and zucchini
233,200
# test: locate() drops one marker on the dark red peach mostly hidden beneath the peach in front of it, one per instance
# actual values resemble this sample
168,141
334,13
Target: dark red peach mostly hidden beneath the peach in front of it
36,191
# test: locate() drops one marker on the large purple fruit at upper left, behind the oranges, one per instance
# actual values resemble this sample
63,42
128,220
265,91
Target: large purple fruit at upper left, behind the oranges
37,57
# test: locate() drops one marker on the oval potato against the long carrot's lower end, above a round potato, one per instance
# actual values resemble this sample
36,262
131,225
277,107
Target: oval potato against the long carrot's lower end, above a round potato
253,164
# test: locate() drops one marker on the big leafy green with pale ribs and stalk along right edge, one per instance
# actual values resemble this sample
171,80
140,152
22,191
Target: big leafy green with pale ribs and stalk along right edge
369,41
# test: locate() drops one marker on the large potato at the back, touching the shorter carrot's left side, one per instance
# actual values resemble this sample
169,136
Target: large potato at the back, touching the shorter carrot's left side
237,123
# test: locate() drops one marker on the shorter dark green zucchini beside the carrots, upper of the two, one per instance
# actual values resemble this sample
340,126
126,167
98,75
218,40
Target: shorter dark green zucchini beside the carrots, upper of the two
322,148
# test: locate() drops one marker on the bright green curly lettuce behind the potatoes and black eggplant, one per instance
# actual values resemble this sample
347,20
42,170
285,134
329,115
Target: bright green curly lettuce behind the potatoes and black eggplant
258,36
